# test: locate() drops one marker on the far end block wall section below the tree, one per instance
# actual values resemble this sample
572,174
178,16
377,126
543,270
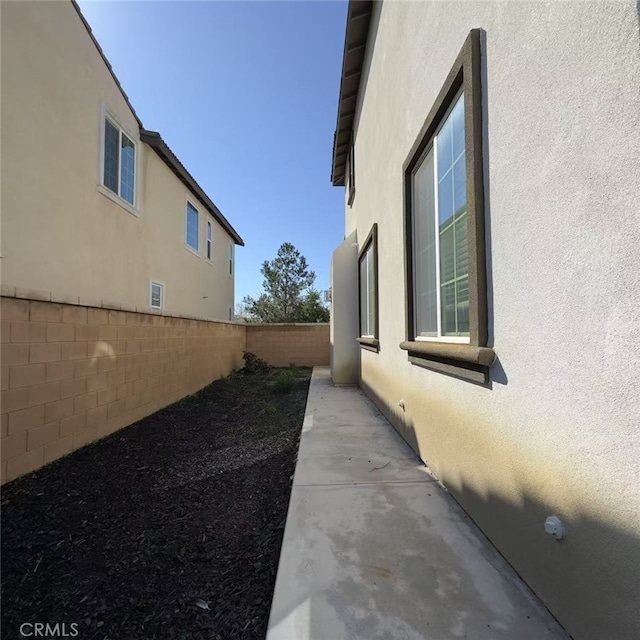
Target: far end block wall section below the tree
284,344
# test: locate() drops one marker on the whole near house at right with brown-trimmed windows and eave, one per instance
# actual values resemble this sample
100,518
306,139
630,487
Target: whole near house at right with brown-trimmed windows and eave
487,293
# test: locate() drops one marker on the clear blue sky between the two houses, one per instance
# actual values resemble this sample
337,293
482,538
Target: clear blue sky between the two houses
245,94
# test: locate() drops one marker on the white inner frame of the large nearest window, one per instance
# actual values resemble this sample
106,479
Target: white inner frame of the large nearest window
433,145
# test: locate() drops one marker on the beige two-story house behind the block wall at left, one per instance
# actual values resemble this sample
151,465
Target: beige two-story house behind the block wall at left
95,208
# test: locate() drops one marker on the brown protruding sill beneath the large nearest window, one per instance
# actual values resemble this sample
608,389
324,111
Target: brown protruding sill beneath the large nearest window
464,361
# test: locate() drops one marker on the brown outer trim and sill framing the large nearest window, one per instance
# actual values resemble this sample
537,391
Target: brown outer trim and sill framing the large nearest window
469,359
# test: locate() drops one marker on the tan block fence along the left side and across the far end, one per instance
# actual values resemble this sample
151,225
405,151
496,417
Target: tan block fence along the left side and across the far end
72,374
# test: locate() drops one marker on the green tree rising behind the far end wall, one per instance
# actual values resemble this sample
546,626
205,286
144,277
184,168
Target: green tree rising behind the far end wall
286,278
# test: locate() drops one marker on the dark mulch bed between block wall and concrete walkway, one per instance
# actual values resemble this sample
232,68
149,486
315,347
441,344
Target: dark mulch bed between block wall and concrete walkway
170,528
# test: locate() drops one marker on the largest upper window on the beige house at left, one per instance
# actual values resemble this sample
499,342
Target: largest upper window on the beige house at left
119,162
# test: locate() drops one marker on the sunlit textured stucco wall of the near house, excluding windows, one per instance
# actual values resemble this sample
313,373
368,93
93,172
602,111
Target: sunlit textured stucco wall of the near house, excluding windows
557,431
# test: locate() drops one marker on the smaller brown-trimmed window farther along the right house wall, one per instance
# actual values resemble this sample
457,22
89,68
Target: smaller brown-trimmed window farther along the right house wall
368,290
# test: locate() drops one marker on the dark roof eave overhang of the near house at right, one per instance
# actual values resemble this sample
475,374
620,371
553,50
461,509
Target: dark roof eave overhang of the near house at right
359,12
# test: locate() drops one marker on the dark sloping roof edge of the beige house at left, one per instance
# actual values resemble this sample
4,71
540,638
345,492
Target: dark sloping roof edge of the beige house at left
154,140
